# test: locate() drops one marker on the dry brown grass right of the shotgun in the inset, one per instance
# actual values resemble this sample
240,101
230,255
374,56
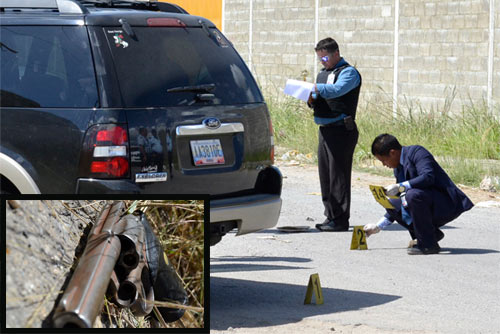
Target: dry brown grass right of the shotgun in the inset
179,226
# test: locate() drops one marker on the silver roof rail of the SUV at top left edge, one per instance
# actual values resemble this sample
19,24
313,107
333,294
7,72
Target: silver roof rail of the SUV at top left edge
62,6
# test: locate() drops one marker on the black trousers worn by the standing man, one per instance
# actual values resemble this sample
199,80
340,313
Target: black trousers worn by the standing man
335,152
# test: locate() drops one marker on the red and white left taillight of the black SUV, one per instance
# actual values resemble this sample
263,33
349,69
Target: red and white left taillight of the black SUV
106,152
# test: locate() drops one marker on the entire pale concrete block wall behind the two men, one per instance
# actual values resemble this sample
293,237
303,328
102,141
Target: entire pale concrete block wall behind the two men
444,47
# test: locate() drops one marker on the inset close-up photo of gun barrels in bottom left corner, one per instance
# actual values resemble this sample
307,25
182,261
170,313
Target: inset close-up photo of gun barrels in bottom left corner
105,264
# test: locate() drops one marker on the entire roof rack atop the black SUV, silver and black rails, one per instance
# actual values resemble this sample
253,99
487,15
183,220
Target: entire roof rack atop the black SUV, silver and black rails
80,6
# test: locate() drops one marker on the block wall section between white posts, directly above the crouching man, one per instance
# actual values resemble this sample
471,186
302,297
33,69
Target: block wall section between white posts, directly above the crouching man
443,45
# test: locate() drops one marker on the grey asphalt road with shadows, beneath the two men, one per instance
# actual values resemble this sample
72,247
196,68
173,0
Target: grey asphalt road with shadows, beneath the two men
259,281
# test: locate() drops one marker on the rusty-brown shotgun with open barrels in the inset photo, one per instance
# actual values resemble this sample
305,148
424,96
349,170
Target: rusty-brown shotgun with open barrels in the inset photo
122,260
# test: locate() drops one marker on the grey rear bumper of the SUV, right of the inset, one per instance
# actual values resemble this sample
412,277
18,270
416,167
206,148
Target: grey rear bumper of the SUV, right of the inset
251,213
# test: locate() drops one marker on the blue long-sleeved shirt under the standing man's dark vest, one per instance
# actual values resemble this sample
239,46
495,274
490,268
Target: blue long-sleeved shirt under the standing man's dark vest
347,80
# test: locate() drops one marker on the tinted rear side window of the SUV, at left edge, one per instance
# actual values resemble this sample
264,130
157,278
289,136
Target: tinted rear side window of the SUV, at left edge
46,66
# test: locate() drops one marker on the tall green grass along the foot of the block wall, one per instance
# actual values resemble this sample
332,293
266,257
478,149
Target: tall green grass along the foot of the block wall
466,143
